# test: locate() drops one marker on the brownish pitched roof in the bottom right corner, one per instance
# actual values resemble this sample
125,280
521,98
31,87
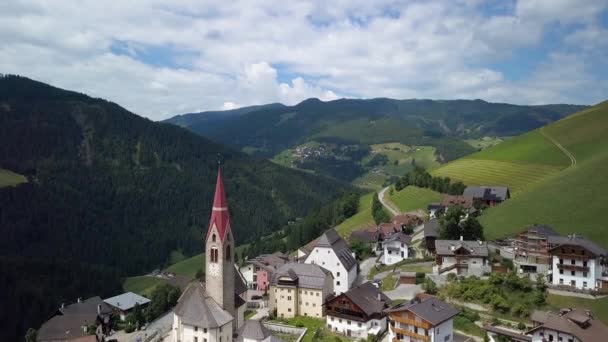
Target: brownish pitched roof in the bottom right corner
576,322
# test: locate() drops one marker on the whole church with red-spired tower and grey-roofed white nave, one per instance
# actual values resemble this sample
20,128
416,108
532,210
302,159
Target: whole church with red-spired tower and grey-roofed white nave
212,311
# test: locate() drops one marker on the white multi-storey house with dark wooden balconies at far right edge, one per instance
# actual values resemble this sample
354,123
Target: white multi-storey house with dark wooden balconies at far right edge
578,263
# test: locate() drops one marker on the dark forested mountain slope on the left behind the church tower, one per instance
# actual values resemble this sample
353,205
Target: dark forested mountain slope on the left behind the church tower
111,194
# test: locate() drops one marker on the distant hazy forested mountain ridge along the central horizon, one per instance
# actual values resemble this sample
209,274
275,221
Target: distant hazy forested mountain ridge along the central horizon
268,130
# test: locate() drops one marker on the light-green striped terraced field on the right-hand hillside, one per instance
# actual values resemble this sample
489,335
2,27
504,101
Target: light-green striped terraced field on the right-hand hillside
517,176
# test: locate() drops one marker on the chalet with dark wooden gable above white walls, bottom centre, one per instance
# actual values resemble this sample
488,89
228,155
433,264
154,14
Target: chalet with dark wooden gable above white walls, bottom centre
358,312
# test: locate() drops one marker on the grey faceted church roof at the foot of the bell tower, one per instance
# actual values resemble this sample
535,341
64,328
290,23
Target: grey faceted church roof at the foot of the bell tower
196,308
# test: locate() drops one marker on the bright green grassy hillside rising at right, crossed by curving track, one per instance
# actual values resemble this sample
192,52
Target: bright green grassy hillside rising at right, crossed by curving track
573,197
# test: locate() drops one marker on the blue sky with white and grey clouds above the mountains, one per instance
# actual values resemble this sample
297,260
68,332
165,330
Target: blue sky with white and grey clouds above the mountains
160,58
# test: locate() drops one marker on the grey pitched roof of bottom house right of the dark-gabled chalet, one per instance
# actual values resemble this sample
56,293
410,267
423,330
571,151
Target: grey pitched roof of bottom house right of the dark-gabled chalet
431,309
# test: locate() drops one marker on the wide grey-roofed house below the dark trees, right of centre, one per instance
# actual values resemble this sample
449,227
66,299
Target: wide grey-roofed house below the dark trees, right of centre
464,258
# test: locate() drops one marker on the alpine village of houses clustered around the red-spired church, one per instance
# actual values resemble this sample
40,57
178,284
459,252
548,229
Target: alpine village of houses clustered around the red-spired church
395,292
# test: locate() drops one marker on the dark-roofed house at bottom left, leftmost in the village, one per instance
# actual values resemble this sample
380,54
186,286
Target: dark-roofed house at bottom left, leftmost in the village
72,322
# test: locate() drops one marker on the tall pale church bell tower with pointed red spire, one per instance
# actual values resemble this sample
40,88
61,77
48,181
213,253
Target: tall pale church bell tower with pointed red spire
219,251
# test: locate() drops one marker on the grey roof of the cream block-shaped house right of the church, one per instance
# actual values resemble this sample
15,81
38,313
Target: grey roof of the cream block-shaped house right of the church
307,275
